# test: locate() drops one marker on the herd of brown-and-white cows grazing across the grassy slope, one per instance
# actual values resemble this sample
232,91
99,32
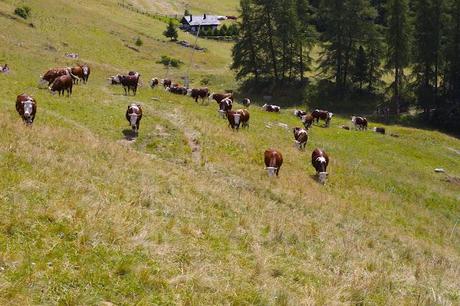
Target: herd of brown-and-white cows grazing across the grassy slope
61,80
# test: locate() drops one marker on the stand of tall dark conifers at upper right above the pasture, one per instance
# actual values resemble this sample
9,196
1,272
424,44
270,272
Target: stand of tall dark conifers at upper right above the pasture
358,55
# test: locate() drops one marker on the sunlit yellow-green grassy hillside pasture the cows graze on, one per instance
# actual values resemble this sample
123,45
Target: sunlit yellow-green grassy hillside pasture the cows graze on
186,214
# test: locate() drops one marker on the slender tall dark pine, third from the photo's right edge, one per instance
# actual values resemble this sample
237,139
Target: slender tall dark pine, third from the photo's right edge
398,44
